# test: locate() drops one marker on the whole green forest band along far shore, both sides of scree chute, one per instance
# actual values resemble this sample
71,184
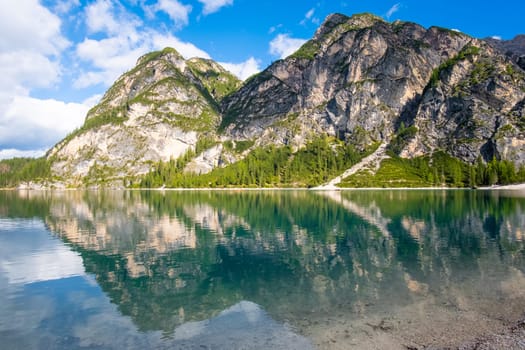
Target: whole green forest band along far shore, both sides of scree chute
324,158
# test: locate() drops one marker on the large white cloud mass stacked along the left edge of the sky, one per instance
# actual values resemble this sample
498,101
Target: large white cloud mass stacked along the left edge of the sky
31,46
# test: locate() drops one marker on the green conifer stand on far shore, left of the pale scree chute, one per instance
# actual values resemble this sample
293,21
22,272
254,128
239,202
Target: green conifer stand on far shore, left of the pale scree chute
270,166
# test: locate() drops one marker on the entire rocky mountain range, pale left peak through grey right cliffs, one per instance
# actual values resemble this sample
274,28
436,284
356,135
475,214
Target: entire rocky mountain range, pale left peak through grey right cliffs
360,81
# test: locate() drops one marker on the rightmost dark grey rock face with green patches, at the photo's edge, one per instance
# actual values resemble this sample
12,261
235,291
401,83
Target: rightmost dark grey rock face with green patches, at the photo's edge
474,109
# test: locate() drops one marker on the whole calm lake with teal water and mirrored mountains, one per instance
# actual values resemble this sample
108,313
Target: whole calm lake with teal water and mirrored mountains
258,269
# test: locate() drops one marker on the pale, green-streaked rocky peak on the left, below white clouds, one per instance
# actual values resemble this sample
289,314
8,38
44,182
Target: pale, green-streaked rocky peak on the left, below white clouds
156,111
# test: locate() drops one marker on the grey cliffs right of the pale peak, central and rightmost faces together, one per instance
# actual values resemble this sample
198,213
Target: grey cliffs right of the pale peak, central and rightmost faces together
359,78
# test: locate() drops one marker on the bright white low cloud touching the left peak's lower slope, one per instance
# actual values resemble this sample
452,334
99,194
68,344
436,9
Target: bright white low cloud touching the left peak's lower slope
30,124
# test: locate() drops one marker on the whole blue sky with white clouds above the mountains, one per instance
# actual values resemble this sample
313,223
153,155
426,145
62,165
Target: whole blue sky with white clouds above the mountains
58,57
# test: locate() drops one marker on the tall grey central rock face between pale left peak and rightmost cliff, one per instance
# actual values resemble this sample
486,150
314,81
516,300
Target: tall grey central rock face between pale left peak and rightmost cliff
354,79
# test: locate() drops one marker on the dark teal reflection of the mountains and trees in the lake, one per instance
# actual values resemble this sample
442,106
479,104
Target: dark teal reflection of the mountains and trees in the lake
206,264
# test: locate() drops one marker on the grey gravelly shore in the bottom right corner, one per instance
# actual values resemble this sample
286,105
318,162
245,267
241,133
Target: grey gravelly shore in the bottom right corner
425,327
